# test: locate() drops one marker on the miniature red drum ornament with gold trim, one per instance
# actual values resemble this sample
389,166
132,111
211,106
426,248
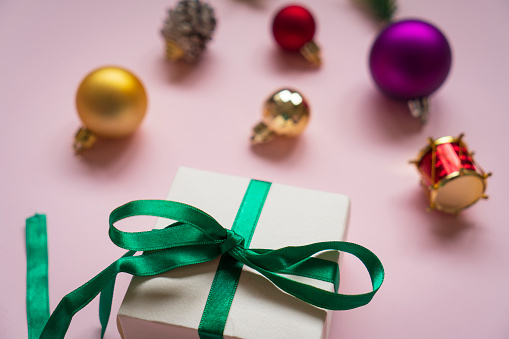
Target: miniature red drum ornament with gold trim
452,180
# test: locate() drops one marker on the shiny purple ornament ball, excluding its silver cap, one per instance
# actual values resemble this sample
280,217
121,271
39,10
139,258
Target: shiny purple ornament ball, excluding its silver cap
410,59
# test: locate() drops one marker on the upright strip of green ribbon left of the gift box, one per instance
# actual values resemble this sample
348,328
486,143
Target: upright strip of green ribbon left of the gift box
37,297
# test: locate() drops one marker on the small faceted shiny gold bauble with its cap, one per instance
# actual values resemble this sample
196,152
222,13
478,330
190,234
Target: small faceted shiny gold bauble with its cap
285,113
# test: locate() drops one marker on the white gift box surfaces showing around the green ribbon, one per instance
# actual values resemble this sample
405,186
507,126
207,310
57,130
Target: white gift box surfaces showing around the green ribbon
170,305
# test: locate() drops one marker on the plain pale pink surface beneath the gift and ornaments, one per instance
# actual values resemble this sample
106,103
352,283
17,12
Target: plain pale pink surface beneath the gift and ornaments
447,277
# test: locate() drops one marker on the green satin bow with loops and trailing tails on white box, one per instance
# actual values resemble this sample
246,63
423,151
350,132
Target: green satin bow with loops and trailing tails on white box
196,237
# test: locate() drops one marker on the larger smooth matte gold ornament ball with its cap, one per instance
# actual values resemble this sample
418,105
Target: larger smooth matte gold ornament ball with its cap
111,103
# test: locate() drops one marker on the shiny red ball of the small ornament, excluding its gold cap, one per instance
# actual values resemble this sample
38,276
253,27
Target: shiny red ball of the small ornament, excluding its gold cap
293,27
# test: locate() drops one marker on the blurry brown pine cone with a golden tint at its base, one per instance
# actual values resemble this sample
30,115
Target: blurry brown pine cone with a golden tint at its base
187,29
